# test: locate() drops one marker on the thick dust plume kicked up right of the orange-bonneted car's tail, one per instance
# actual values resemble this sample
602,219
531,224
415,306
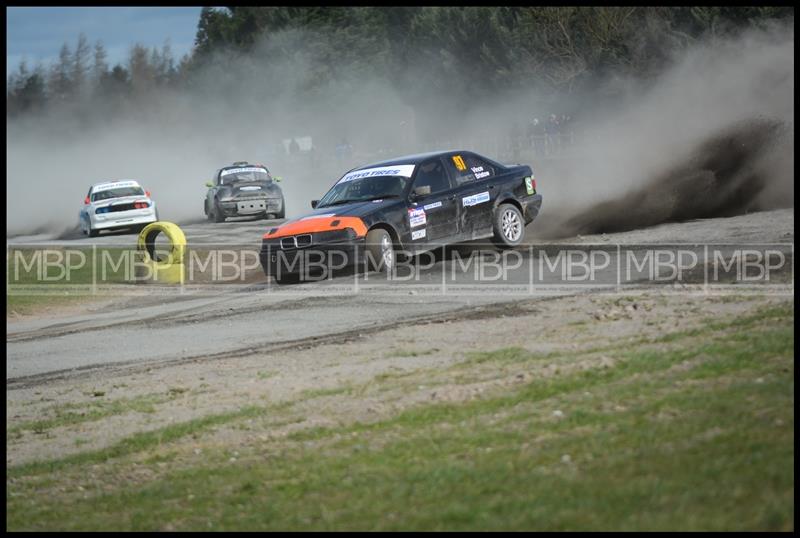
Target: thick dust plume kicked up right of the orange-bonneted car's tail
712,137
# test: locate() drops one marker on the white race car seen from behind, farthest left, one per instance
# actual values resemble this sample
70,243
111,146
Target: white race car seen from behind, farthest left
116,204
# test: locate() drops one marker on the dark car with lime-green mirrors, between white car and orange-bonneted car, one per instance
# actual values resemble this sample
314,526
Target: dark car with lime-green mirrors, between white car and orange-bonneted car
241,190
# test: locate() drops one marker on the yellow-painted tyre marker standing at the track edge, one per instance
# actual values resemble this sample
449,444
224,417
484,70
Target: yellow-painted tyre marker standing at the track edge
152,265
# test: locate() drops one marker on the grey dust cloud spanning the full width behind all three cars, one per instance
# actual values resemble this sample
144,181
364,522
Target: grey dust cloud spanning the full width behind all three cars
712,135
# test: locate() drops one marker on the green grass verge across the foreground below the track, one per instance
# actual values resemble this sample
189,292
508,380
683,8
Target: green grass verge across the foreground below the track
690,431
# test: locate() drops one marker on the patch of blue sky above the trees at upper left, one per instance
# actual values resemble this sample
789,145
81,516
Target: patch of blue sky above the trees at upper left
37,33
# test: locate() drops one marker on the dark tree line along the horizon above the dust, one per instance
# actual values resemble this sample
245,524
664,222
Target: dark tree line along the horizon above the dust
468,52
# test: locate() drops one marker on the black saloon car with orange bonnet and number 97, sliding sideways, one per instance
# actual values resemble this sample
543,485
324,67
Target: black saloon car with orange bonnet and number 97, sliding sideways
413,203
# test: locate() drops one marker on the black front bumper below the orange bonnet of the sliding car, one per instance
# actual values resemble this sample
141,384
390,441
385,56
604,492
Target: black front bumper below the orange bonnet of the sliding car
324,257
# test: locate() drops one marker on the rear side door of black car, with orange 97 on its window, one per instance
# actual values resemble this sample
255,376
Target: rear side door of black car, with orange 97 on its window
475,193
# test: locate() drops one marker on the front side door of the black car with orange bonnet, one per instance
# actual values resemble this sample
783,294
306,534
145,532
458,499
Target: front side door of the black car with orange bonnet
432,218
